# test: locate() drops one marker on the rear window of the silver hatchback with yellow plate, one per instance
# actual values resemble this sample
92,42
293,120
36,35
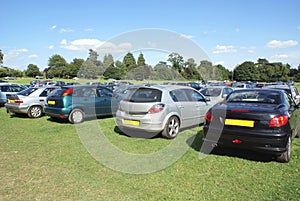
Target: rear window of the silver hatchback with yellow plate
142,95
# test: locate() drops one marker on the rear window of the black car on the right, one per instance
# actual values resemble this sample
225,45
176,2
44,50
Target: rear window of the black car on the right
254,96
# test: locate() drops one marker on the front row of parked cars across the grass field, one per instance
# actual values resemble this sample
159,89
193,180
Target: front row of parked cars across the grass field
264,120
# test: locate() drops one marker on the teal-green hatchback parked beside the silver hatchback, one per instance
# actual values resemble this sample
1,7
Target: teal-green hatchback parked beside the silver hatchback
75,102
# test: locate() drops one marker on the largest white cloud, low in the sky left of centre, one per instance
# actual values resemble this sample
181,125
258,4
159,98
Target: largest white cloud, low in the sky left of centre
95,44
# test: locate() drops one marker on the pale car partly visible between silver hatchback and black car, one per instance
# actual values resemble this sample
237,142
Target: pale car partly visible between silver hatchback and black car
216,93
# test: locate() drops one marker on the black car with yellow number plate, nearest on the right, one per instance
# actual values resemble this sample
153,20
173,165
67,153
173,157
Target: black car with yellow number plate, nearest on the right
261,120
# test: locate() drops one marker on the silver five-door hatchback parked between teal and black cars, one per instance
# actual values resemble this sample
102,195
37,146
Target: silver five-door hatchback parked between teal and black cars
161,109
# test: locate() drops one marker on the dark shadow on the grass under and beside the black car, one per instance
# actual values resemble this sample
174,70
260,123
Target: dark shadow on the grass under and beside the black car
196,143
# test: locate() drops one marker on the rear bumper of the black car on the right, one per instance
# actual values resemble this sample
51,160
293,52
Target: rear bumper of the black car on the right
270,143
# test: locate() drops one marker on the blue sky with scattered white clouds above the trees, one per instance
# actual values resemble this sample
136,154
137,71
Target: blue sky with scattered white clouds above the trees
229,32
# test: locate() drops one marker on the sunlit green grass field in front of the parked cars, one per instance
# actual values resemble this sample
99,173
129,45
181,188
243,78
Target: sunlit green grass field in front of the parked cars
46,160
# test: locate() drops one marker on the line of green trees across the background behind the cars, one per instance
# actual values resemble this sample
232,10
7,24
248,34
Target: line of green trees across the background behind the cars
175,68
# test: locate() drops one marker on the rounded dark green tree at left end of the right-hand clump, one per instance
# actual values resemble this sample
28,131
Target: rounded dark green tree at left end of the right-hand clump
246,71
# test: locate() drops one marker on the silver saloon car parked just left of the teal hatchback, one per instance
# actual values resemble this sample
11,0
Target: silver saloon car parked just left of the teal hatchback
30,101
